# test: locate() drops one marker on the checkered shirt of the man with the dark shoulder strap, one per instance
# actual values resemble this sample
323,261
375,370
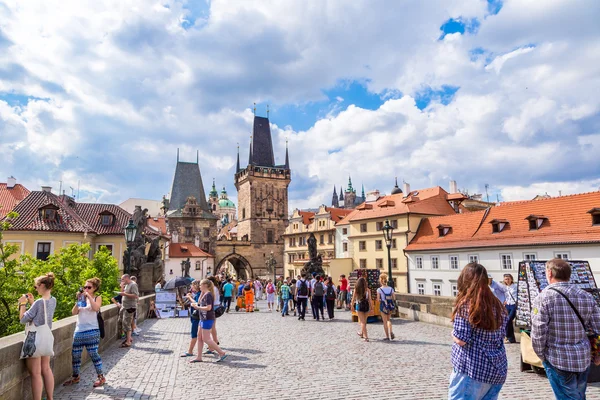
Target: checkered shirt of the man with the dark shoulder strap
556,332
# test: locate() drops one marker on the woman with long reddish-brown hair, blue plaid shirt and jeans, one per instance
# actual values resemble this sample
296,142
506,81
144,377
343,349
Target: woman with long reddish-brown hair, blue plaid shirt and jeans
478,354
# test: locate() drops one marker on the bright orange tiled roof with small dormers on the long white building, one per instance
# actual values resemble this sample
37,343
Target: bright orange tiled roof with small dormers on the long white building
568,221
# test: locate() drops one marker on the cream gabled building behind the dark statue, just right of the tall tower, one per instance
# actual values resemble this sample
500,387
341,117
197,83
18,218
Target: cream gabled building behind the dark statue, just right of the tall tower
302,224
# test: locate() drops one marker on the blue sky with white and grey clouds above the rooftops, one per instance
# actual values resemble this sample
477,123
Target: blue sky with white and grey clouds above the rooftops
100,95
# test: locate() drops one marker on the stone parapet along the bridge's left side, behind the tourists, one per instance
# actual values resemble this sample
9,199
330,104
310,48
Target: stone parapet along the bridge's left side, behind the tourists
14,378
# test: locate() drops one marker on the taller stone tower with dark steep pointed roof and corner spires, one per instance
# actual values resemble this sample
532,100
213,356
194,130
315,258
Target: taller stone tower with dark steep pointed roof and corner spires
263,194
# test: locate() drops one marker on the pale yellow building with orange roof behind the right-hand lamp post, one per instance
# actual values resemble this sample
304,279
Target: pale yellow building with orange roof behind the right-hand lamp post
361,235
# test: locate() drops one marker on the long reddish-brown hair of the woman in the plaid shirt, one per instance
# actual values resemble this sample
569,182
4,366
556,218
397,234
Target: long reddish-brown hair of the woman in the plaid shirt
474,297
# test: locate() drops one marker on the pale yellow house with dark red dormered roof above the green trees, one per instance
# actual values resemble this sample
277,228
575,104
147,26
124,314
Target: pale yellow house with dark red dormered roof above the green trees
48,222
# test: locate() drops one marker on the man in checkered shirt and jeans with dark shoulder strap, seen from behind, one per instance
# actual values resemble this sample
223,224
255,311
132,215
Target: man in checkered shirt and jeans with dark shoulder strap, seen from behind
557,335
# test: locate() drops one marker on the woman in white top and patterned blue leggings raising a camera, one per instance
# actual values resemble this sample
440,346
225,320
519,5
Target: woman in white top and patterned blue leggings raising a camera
87,331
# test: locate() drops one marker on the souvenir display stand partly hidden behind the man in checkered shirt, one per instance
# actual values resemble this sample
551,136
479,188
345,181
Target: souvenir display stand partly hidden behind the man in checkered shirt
531,281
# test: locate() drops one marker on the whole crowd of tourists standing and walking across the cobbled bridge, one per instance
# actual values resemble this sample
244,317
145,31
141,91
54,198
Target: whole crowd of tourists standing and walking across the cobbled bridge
562,316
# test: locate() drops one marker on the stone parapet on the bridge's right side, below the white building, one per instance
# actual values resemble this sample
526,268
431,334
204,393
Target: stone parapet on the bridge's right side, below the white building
432,309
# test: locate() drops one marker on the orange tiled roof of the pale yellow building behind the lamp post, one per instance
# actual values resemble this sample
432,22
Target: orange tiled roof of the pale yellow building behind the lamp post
431,201
